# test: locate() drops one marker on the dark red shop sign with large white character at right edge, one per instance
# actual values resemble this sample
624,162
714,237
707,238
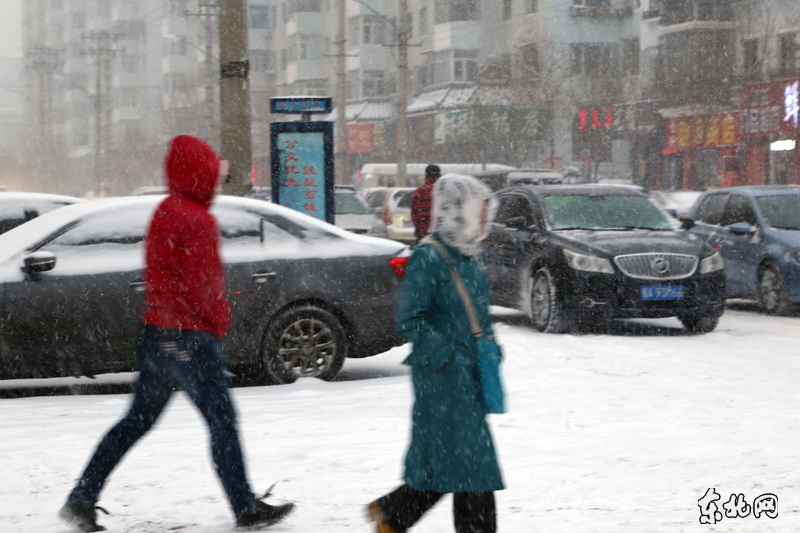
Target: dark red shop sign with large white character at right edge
771,109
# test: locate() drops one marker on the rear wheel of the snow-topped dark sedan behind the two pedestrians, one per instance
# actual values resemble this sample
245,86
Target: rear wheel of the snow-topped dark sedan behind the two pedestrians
304,342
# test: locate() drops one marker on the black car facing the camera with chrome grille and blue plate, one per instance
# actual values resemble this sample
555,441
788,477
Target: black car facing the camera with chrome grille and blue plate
572,255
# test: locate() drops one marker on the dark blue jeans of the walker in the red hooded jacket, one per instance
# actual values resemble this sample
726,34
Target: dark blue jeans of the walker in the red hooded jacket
169,359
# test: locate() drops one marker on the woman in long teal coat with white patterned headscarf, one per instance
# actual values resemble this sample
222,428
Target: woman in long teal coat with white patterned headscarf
451,446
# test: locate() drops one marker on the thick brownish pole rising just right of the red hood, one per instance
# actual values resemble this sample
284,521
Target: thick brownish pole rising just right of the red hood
234,95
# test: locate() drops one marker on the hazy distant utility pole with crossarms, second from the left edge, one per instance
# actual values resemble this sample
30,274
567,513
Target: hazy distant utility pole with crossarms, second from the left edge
99,44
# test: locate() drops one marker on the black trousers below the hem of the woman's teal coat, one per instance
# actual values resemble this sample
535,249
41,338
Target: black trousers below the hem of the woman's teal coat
473,512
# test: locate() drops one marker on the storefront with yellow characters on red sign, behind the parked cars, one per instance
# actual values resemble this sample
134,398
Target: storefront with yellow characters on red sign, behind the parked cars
702,151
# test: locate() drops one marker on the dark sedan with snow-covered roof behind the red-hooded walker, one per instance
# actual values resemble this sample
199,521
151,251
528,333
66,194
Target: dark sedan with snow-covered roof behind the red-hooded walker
305,294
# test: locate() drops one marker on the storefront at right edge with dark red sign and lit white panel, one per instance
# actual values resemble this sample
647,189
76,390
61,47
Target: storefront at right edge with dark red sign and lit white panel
769,129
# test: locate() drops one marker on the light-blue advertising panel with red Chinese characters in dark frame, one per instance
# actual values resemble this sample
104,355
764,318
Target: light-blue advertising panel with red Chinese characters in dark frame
302,167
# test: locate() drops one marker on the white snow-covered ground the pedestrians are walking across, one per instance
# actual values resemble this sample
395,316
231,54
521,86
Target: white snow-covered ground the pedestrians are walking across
613,432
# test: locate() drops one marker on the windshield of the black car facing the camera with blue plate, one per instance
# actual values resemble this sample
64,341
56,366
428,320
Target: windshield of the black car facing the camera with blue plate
604,212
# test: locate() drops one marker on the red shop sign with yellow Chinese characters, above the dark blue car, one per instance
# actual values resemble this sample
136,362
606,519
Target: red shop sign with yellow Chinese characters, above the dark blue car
706,131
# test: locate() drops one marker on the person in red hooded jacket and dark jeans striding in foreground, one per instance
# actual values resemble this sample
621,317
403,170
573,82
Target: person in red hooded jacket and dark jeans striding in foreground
178,344
